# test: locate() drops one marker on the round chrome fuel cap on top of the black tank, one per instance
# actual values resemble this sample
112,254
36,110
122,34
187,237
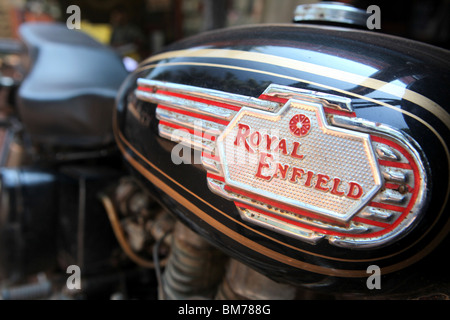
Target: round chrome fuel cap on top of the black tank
328,11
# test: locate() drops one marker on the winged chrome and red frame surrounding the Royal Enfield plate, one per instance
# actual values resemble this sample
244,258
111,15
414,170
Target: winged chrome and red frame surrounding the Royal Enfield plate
219,119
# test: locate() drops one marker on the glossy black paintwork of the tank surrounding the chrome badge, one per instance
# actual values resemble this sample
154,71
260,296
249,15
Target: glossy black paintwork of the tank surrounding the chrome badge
415,66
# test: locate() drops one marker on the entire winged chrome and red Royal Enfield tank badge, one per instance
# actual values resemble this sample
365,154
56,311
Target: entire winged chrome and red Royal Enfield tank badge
299,162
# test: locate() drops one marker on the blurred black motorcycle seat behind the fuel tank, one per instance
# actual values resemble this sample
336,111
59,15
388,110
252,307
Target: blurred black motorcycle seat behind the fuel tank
67,98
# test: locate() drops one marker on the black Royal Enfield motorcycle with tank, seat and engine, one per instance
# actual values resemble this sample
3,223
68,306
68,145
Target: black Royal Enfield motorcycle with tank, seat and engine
298,161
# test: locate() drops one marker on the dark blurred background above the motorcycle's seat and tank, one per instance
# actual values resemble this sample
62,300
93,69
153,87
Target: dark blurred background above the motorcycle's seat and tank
142,27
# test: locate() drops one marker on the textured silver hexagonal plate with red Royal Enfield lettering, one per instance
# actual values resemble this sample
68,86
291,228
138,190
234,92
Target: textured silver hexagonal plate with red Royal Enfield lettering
330,173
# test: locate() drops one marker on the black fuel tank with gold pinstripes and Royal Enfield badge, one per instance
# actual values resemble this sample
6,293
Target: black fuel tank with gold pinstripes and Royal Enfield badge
306,152
